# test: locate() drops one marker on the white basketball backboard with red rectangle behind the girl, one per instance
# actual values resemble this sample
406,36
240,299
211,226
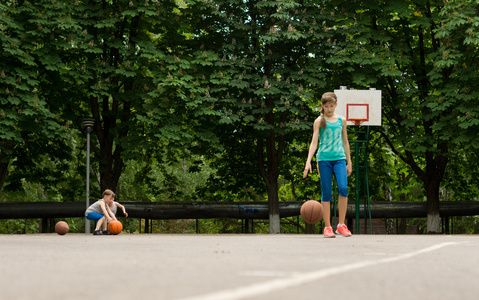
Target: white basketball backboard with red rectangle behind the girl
362,107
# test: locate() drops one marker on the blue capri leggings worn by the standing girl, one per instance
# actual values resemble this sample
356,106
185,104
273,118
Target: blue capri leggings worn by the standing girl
326,170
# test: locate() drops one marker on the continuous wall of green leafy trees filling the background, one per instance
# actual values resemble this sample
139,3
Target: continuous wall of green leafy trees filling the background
234,85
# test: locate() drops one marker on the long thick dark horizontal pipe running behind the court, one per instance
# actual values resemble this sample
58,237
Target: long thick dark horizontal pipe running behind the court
237,210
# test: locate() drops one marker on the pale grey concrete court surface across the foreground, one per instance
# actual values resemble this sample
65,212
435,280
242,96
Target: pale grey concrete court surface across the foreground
200,267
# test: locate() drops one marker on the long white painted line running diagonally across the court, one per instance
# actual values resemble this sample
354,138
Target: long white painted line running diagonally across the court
283,283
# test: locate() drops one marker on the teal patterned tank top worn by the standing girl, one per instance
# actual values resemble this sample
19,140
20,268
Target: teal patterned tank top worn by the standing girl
331,142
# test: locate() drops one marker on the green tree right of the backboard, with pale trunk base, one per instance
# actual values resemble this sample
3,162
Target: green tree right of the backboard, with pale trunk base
422,55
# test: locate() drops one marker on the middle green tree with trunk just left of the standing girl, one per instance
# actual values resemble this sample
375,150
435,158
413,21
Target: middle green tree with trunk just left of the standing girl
263,70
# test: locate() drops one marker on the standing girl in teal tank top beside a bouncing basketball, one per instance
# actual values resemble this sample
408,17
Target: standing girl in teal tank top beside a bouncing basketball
333,156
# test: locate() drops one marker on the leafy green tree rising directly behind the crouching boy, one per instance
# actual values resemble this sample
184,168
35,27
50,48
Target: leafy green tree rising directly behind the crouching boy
113,65
